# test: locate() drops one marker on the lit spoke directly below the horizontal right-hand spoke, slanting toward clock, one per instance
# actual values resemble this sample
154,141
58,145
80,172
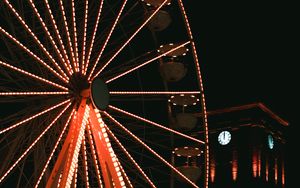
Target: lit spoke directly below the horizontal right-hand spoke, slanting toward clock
154,124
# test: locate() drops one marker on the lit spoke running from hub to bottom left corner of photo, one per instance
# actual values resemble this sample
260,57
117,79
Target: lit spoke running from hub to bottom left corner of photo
34,143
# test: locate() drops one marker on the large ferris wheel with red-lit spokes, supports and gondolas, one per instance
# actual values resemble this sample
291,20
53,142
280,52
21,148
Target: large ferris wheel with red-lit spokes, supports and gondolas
100,94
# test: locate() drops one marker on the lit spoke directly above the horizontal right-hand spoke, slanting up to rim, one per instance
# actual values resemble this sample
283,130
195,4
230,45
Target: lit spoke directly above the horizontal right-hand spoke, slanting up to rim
147,62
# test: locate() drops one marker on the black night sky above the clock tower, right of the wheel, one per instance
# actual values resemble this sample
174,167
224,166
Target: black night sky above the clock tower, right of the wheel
248,54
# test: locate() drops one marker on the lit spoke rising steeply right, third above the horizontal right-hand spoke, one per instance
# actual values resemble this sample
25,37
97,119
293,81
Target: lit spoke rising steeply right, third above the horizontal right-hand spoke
107,39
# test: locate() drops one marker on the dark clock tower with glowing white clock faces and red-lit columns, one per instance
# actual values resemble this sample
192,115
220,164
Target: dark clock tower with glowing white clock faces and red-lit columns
247,147
